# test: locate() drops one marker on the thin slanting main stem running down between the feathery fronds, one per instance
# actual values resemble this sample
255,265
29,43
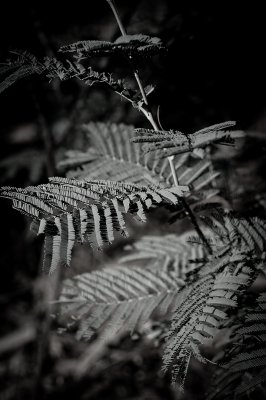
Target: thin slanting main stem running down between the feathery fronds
148,114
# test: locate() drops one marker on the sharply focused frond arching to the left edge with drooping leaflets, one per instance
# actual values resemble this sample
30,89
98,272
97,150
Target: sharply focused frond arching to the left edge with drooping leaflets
69,211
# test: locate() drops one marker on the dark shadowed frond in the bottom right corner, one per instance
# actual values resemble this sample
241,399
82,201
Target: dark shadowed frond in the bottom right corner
243,363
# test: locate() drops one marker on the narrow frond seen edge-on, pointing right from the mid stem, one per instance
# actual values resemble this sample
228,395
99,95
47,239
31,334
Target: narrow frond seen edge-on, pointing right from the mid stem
168,143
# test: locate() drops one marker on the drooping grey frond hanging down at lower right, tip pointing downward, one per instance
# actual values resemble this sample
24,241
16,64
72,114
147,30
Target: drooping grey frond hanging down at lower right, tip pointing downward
205,304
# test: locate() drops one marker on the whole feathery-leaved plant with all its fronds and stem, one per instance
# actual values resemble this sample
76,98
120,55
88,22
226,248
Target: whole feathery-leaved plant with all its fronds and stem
198,280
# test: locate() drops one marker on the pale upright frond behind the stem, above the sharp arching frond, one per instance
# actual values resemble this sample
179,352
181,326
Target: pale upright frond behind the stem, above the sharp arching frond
115,158
